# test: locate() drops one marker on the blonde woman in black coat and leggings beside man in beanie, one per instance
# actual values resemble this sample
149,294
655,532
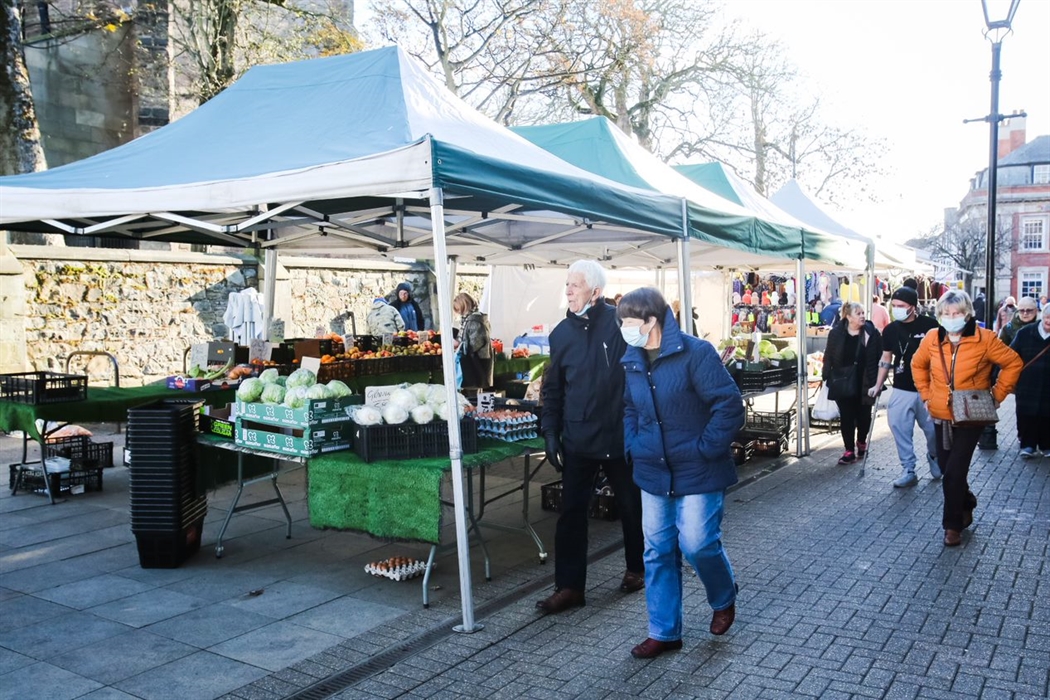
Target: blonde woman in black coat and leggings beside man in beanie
854,342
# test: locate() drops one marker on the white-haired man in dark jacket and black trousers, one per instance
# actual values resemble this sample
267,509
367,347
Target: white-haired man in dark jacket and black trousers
583,426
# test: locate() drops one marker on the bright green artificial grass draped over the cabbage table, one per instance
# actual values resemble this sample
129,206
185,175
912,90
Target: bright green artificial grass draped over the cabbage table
393,499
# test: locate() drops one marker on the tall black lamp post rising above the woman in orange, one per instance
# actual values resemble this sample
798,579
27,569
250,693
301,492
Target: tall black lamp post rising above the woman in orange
999,16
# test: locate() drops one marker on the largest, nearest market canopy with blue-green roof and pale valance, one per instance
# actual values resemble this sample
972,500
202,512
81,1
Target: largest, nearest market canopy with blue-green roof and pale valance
341,155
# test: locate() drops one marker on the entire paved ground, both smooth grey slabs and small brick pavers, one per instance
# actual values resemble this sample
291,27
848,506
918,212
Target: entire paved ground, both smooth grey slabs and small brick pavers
846,591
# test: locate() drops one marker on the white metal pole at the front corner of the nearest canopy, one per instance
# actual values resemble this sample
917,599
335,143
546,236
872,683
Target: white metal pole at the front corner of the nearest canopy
455,440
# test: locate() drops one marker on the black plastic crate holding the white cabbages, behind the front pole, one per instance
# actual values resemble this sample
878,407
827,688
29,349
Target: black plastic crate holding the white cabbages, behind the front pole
410,441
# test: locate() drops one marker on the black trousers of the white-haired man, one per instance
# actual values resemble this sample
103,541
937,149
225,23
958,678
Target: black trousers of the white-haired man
571,536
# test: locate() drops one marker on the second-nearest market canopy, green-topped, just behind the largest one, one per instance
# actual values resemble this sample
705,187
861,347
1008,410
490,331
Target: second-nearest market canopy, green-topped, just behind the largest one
761,235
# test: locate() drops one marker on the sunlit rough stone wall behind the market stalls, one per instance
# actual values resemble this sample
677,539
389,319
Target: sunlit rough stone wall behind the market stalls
146,308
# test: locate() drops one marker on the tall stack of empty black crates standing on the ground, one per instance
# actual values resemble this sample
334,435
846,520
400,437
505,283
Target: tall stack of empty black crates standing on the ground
167,507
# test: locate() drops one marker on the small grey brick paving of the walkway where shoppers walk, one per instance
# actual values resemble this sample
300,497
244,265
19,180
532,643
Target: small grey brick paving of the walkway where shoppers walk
847,591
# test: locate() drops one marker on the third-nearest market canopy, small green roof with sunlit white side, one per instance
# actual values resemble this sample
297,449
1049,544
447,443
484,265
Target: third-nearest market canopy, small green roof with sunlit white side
820,245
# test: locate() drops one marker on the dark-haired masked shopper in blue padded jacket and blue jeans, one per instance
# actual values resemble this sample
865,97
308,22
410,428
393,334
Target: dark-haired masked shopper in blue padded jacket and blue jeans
682,413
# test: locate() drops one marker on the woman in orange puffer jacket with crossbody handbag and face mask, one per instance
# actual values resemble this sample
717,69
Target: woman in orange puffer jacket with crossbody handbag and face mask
971,353
